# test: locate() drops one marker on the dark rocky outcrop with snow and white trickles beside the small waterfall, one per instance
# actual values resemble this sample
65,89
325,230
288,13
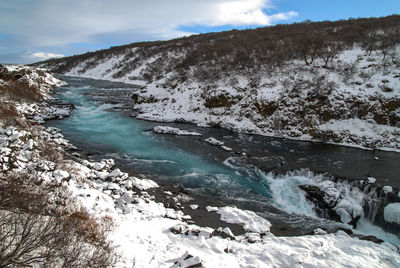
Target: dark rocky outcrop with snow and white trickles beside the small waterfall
347,203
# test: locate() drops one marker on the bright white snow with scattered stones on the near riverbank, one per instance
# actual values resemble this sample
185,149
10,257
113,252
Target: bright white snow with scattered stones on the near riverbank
149,235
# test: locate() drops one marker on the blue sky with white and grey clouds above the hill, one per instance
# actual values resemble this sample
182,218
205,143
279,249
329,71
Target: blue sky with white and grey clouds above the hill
35,30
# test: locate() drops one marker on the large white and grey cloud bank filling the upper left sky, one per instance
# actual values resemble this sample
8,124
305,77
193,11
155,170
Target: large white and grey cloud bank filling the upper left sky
43,24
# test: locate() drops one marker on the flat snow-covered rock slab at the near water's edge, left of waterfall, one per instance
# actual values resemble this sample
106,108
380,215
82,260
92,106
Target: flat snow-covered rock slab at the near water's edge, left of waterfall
248,219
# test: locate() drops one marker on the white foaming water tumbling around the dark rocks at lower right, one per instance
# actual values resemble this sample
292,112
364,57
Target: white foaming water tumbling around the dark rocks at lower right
287,196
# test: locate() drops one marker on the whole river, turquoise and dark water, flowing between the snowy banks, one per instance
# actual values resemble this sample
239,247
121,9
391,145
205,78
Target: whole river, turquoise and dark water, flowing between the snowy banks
261,173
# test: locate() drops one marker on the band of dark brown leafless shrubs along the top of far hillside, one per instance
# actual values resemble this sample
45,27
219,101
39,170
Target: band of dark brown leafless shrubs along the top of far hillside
208,56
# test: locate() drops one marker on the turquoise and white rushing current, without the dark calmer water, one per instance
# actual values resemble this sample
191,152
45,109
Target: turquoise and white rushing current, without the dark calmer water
231,179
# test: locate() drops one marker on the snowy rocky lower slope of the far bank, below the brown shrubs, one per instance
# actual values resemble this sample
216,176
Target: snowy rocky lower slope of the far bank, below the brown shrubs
351,102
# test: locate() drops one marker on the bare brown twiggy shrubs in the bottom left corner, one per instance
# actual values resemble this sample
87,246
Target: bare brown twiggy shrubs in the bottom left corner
33,231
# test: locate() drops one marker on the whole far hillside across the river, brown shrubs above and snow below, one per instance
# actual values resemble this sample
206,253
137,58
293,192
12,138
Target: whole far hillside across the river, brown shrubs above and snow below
329,81
